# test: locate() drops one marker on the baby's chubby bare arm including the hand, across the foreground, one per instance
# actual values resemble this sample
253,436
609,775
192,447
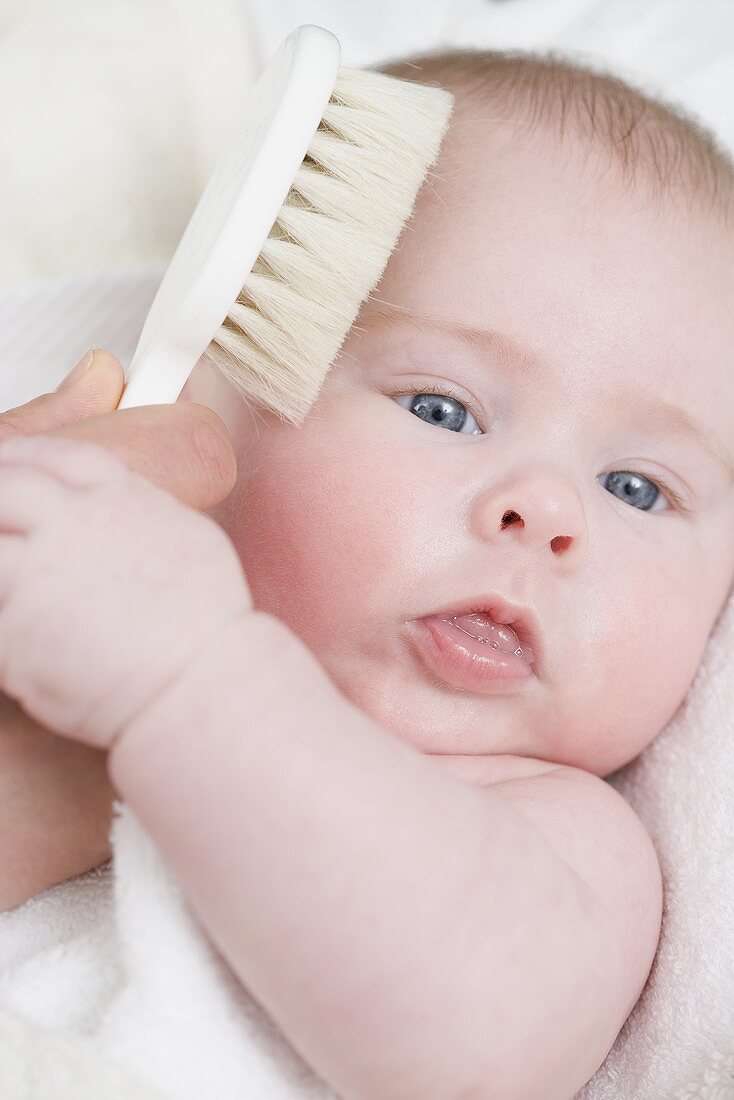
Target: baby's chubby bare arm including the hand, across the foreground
414,937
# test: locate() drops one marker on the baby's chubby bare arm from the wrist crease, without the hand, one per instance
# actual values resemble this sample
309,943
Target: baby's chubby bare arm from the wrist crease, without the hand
413,936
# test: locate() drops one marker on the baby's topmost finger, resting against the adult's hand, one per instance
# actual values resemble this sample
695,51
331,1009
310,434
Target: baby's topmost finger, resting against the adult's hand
73,463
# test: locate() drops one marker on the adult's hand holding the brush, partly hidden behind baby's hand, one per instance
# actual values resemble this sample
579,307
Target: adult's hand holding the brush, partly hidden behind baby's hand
56,797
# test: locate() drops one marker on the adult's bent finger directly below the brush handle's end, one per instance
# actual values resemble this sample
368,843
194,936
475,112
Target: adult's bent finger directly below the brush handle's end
183,448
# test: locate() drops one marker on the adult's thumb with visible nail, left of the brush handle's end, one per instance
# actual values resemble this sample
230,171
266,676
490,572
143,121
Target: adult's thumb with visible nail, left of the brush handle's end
93,388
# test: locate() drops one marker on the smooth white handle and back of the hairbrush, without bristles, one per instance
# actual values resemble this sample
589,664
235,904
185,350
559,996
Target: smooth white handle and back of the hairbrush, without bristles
234,217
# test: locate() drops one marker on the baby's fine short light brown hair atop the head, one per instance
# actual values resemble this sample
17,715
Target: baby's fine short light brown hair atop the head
648,137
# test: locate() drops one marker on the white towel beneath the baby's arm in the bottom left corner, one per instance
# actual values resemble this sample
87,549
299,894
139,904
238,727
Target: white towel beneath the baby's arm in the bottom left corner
109,984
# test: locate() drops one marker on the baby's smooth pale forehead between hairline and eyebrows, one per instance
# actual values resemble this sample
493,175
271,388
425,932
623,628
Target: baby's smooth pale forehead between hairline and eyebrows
545,240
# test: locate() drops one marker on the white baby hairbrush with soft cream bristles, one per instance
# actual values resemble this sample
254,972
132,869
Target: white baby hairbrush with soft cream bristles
293,230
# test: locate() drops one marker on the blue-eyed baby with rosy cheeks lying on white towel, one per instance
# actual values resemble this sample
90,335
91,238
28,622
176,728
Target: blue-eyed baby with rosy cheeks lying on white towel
367,713
